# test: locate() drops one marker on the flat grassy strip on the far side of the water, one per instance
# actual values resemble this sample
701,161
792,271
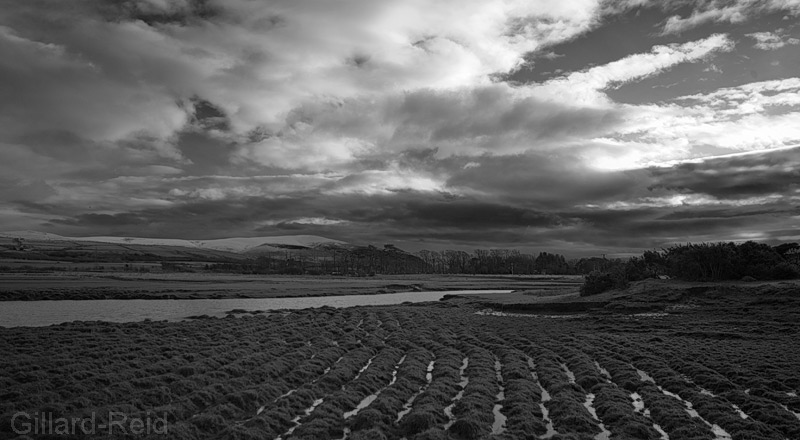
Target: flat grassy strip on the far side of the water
122,285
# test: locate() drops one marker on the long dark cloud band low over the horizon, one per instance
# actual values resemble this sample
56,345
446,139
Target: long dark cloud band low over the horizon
531,201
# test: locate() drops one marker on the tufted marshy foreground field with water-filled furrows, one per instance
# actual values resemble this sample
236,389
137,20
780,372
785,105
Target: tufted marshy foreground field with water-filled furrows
710,365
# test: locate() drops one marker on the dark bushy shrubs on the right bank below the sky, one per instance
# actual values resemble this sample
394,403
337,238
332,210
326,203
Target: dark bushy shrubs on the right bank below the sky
749,261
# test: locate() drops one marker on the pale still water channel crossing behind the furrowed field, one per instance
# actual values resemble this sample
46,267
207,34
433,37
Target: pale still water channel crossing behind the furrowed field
40,313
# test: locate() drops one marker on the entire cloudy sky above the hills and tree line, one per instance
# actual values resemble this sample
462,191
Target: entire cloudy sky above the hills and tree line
581,127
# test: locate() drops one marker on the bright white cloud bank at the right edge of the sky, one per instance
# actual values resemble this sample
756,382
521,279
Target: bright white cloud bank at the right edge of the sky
750,117
